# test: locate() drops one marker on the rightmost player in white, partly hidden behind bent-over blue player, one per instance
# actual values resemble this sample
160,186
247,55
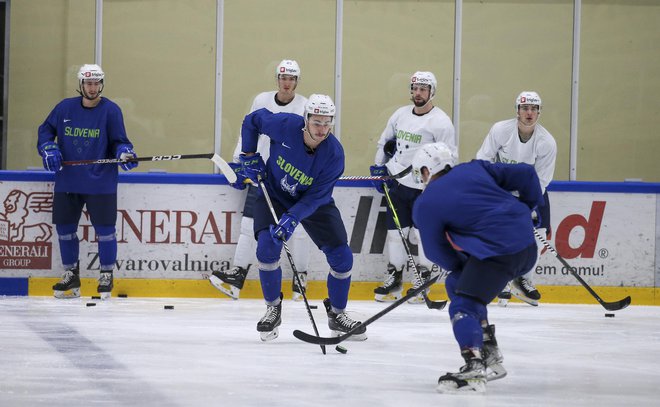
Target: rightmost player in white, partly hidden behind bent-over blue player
524,140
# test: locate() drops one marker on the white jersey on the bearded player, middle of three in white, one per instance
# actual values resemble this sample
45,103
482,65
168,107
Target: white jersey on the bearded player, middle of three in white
411,132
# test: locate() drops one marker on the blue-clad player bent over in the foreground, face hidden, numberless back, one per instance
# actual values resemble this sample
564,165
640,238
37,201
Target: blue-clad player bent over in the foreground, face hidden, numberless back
472,205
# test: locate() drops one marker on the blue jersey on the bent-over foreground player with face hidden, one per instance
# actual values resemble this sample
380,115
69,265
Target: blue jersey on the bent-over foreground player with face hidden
473,205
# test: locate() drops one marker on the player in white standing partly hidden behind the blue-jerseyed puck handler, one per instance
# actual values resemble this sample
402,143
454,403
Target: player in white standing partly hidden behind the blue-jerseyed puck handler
285,99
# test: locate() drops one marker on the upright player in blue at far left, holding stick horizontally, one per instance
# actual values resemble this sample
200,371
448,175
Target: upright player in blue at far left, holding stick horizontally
87,127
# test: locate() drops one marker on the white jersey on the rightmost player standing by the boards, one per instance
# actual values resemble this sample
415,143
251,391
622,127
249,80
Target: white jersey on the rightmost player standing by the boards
503,145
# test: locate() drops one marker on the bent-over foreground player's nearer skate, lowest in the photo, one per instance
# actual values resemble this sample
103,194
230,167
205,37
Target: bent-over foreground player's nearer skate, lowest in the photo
471,378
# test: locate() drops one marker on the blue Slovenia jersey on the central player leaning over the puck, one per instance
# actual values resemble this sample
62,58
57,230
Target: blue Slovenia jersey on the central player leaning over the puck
299,179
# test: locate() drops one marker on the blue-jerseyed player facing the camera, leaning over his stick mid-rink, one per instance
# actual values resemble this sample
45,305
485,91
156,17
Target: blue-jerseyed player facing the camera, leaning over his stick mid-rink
305,162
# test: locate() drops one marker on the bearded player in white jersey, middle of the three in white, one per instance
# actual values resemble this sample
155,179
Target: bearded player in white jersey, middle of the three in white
407,129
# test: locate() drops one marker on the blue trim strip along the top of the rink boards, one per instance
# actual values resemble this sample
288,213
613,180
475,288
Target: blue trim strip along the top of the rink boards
217,179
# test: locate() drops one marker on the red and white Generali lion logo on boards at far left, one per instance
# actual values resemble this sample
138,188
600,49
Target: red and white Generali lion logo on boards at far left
24,236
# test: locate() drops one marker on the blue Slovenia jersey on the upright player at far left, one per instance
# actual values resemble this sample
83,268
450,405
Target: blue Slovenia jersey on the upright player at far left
85,134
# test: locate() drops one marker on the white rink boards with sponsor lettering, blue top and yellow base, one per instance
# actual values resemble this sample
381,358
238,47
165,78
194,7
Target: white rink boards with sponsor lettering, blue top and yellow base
174,230
